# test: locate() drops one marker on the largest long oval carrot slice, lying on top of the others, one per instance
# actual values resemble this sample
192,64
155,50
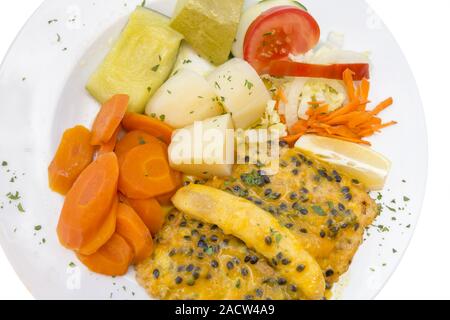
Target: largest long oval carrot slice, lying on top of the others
88,203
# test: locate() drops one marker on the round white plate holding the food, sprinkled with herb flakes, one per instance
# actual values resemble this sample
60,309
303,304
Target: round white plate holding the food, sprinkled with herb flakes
42,93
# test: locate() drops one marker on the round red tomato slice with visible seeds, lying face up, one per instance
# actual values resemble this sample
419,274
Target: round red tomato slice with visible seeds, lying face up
277,33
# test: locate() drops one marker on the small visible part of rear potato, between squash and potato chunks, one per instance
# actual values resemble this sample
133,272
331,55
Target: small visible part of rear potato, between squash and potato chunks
189,59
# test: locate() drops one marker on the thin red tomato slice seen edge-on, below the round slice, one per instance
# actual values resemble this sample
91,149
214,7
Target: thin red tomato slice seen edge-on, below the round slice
332,71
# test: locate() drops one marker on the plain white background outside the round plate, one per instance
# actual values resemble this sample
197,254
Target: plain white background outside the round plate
421,28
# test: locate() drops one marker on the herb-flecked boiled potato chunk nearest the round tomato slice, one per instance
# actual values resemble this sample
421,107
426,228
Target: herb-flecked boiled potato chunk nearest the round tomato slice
241,92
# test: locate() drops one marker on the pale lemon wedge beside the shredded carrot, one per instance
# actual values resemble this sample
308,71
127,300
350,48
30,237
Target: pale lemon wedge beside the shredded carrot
357,161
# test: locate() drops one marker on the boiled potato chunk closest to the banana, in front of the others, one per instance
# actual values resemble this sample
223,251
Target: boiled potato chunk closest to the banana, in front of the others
204,149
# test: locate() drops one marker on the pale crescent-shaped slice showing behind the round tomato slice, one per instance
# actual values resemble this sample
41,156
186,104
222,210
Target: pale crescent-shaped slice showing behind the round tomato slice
250,15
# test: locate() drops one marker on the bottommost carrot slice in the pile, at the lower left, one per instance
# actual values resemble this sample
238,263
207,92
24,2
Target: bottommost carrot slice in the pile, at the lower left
112,259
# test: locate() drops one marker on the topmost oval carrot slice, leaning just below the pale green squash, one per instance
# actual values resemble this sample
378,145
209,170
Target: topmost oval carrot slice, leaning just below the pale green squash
109,118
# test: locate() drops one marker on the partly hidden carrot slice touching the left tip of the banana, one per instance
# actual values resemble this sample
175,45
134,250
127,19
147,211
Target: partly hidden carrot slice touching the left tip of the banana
151,213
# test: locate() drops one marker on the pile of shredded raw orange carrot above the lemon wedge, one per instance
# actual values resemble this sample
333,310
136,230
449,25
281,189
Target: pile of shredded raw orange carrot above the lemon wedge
352,122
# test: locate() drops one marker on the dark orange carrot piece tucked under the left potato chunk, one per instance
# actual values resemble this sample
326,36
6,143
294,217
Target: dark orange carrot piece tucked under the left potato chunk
154,127
